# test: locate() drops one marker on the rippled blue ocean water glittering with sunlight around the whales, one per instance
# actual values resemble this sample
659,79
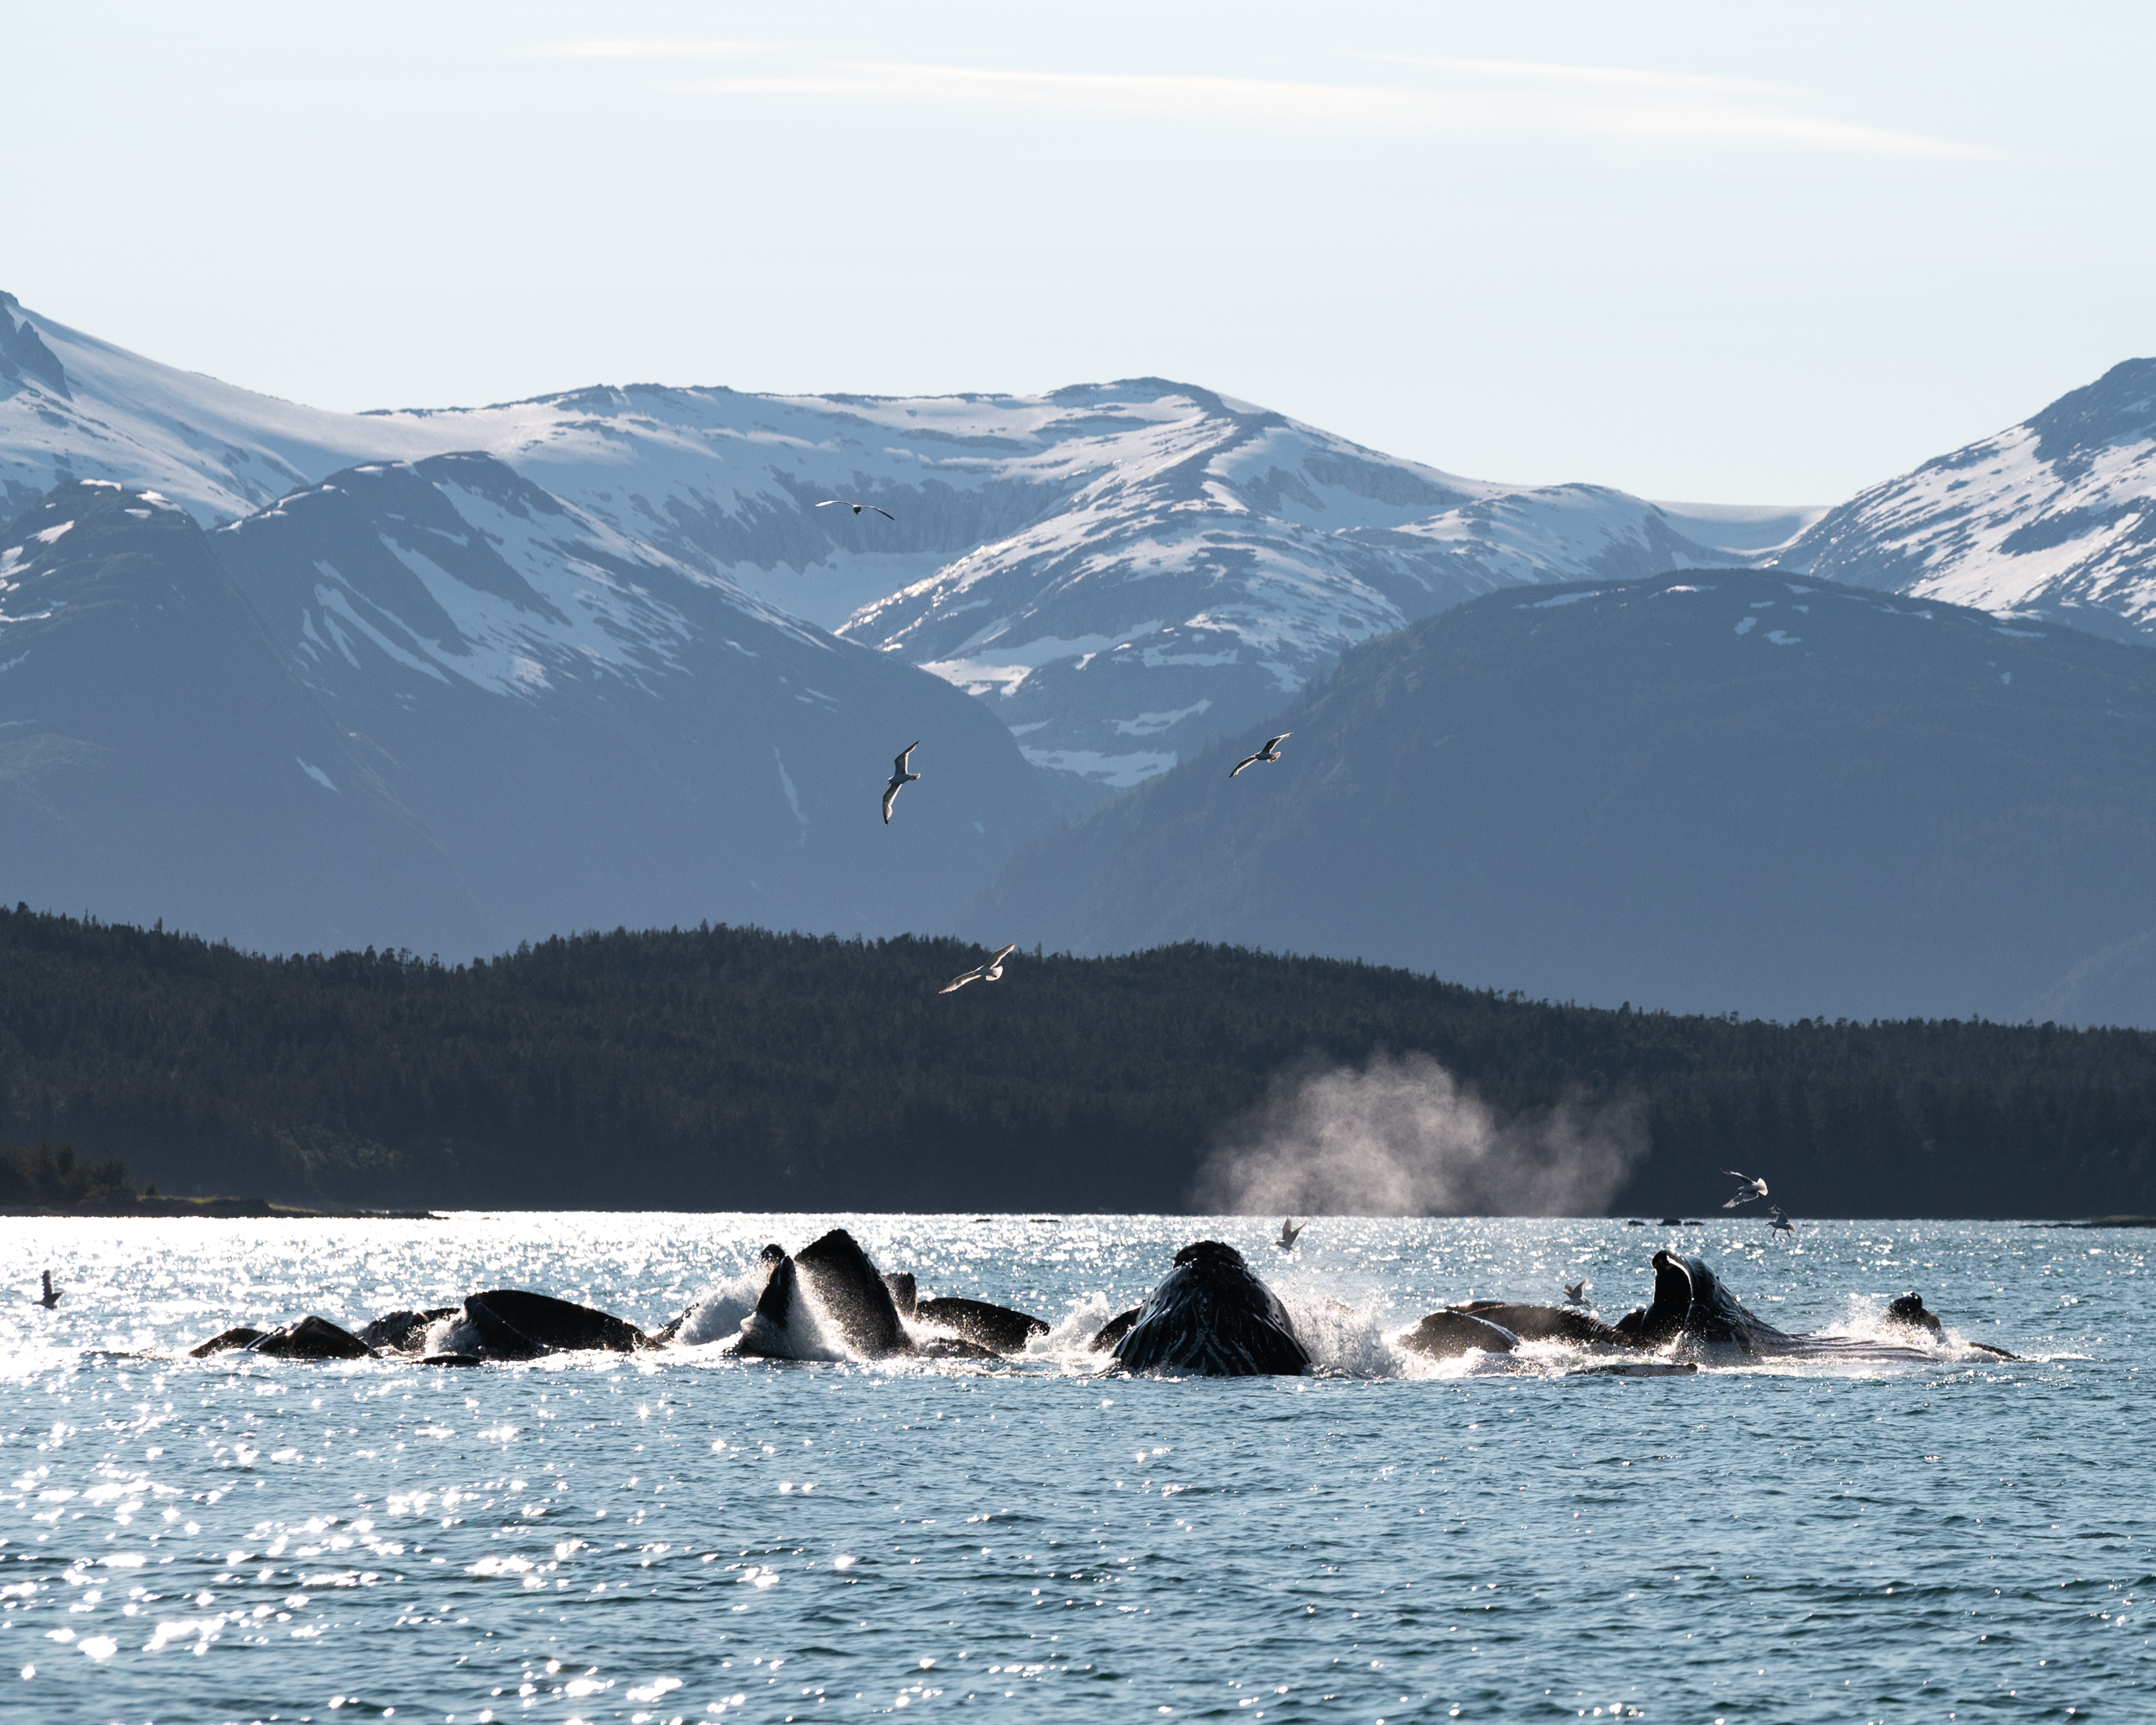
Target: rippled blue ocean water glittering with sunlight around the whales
687,1536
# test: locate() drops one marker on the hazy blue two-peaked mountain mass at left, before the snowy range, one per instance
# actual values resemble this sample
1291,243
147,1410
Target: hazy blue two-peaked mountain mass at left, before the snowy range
430,706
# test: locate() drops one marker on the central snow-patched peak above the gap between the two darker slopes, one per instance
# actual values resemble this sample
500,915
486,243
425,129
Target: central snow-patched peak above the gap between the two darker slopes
1213,562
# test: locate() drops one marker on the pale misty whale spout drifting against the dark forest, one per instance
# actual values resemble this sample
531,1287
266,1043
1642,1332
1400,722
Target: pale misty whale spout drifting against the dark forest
1400,1137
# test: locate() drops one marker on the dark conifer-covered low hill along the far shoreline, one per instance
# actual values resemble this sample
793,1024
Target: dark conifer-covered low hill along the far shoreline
730,1068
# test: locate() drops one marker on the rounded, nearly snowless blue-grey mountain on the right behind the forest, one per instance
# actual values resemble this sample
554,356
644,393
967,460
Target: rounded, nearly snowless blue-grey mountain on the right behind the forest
1724,790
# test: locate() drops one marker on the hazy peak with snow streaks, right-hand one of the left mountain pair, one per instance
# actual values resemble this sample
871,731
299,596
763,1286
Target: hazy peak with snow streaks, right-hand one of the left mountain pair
600,734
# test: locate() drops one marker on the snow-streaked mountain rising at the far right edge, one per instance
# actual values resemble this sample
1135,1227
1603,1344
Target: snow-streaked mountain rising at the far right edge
2054,516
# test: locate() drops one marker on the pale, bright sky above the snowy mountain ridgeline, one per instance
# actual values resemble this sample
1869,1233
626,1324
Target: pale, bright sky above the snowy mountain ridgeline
1694,251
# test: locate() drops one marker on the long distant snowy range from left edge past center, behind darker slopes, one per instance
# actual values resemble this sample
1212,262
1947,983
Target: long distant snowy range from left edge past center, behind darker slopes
1122,572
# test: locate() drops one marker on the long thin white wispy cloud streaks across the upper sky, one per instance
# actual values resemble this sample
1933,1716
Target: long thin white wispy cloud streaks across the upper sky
1426,94
